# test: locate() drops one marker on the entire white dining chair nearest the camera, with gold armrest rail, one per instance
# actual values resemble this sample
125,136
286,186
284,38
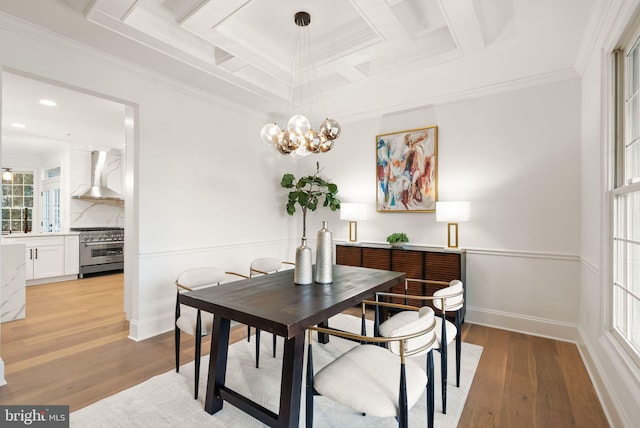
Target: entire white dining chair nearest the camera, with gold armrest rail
375,380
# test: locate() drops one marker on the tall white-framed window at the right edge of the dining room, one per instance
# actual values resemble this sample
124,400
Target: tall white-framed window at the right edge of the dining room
625,310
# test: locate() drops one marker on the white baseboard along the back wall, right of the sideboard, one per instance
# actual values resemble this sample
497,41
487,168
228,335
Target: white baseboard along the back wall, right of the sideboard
529,325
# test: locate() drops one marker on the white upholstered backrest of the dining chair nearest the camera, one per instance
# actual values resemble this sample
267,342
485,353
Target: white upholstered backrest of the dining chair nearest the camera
407,322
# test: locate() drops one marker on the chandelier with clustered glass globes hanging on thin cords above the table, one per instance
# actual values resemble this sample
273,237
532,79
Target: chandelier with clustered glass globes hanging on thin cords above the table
299,139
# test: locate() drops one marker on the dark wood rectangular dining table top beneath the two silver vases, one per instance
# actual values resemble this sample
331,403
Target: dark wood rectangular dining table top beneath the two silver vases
274,303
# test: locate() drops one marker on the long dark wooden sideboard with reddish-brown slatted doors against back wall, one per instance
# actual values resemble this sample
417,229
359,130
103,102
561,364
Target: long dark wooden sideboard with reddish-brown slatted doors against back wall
416,262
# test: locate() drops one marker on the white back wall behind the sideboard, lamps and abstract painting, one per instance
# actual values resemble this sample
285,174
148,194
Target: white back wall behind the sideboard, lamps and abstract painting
516,157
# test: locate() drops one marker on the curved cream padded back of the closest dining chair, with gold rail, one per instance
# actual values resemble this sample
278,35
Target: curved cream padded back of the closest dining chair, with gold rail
423,321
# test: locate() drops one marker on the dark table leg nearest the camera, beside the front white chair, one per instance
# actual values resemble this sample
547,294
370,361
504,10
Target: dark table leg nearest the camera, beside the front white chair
291,381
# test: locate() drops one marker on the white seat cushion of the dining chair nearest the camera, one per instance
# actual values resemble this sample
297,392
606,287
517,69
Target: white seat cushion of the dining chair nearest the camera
367,379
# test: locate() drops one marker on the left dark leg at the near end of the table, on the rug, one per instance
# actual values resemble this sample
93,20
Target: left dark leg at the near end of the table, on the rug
217,364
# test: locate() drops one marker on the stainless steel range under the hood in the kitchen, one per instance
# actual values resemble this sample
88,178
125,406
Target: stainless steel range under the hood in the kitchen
101,249
